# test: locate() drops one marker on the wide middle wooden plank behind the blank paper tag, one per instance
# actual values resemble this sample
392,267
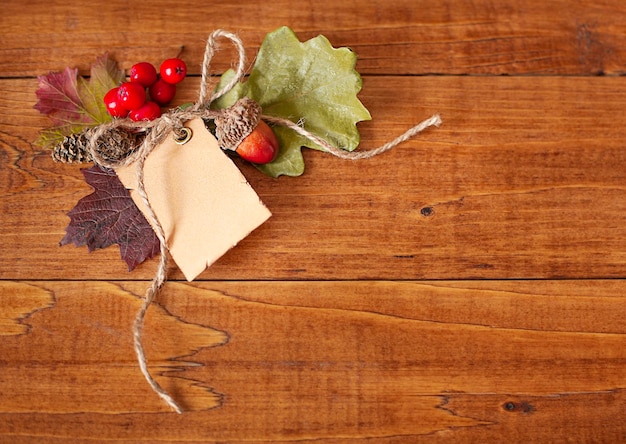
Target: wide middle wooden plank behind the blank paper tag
524,179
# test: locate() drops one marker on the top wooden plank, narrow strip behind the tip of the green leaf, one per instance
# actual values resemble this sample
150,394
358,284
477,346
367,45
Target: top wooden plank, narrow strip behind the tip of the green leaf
399,37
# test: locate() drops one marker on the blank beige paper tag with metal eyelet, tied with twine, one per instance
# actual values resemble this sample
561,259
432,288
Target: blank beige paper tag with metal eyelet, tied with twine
203,202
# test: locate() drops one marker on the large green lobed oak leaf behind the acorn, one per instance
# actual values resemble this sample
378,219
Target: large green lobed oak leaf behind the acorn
309,82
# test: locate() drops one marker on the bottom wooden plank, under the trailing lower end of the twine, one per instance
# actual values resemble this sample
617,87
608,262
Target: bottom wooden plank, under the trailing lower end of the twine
420,361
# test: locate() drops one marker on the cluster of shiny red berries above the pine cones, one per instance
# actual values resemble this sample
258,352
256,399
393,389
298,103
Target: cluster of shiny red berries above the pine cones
143,95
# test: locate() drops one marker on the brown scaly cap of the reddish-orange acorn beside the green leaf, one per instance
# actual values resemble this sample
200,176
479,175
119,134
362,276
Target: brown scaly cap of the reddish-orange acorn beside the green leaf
237,122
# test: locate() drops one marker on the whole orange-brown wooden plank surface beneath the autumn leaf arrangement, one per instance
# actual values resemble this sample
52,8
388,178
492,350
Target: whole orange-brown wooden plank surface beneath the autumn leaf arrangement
465,287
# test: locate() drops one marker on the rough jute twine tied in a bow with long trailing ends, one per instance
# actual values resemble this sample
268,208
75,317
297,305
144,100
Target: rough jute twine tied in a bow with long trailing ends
173,121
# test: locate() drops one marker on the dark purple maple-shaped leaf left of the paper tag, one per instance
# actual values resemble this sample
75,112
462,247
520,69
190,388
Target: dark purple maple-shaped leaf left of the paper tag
109,216
